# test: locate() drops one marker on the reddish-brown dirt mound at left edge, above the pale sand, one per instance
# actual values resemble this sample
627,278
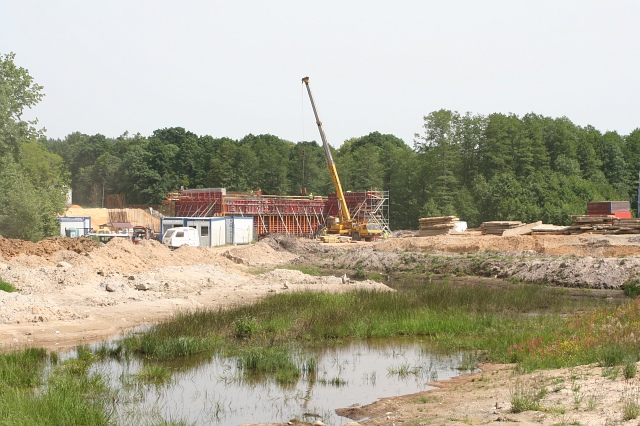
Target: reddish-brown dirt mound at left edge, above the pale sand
10,247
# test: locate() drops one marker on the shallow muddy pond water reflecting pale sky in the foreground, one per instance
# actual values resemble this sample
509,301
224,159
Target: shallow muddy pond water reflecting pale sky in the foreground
215,392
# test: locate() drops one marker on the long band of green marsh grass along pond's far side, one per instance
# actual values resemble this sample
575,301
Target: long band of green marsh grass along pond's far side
509,323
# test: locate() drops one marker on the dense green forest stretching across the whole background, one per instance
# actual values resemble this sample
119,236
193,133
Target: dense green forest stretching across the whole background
495,167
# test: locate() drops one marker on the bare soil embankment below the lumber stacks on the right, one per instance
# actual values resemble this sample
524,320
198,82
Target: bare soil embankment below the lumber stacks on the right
586,261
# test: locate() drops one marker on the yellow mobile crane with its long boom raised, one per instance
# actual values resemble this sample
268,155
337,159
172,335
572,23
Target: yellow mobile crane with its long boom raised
343,224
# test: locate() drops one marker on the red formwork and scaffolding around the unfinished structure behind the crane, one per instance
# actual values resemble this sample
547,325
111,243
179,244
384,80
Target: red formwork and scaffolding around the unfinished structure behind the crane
290,215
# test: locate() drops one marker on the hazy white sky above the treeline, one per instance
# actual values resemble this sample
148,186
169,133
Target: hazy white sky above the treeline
230,68
